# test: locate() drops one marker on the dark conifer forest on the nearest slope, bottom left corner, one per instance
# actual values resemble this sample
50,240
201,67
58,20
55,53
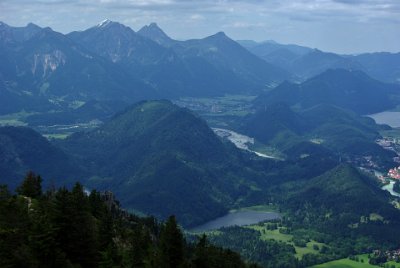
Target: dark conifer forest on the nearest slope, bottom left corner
71,228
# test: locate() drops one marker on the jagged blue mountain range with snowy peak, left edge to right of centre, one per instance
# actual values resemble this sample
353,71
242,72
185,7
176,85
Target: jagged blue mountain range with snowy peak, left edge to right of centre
43,70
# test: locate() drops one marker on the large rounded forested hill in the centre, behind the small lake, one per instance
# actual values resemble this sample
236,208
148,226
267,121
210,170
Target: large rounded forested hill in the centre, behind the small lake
162,159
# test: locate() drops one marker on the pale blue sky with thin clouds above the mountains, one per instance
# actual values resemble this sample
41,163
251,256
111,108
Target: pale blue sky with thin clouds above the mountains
340,26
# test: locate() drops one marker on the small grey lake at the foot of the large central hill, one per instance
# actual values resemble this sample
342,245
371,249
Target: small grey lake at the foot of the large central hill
238,218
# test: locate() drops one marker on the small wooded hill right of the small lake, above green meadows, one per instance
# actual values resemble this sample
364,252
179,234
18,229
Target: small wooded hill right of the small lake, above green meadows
347,203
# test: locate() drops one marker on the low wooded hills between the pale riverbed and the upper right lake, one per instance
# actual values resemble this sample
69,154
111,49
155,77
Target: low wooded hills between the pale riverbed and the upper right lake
321,129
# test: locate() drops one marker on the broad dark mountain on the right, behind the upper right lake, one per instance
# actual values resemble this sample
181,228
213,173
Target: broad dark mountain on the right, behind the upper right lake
352,90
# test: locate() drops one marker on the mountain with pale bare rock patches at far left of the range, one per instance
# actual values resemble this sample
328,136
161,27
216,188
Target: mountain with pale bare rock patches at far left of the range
48,67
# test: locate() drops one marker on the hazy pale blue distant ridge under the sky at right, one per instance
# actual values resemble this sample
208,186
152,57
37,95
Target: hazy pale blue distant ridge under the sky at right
306,62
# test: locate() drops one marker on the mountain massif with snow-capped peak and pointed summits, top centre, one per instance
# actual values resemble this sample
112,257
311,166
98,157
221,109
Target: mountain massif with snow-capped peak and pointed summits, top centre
212,66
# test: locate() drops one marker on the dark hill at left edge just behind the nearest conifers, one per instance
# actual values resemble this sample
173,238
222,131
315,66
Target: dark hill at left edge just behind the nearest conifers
22,149
